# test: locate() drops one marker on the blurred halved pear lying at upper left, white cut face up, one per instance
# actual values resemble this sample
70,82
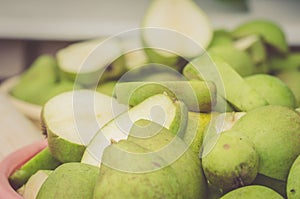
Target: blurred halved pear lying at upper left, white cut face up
89,62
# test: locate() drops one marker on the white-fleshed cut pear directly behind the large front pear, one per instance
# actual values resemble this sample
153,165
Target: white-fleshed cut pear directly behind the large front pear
158,108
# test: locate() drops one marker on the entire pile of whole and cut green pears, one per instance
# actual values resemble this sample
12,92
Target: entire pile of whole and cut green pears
220,121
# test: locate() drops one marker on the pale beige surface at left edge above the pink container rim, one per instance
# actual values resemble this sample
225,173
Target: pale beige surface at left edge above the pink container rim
16,130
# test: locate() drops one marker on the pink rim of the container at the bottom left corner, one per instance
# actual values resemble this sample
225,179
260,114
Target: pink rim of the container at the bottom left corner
14,161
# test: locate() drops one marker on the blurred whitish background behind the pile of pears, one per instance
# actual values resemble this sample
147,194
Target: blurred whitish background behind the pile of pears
32,27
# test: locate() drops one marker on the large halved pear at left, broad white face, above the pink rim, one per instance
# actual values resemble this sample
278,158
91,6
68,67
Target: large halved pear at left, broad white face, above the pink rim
72,118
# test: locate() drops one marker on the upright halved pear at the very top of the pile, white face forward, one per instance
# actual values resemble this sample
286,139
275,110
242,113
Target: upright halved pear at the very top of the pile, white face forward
176,28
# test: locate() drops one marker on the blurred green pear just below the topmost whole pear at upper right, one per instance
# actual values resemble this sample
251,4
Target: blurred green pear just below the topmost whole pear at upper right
238,59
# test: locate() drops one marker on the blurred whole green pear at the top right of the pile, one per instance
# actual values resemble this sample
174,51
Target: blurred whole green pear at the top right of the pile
271,33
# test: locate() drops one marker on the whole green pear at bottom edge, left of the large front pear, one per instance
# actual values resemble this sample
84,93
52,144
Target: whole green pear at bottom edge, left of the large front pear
70,180
